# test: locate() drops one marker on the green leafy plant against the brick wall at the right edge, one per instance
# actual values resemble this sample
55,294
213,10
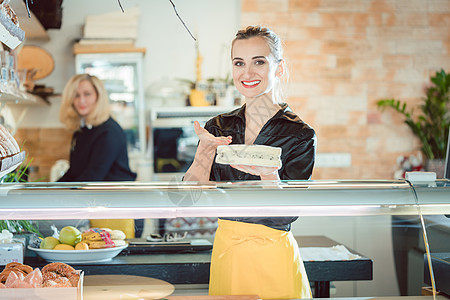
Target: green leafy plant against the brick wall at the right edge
431,124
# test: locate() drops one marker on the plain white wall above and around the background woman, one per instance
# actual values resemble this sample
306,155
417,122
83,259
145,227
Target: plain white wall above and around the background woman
170,49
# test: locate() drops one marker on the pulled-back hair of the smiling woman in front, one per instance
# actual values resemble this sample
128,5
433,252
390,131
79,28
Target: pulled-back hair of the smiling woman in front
276,49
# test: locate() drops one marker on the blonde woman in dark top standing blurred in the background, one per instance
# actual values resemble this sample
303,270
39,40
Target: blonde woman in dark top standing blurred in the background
99,148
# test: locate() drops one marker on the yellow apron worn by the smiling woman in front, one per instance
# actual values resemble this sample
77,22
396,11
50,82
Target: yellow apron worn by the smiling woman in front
253,259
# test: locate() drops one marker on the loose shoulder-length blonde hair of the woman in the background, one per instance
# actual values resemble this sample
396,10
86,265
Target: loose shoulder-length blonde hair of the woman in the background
70,117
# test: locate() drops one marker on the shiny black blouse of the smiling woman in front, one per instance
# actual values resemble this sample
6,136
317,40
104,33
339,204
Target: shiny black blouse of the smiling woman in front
285,130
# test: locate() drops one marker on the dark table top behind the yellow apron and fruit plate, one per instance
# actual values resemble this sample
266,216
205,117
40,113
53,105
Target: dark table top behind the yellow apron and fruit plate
193,268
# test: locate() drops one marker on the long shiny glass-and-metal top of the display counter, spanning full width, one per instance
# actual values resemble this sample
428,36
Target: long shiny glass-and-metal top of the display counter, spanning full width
99,200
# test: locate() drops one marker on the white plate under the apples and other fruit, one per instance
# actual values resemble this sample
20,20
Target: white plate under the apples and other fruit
79,256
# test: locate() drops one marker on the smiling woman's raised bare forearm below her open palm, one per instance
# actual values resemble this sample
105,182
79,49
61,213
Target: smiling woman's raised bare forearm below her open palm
201,166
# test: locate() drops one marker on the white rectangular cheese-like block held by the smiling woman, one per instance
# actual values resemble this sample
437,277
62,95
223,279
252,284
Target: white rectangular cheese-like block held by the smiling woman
251,155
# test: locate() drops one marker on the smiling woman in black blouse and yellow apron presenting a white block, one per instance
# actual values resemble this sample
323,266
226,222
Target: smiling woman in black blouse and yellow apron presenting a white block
256,255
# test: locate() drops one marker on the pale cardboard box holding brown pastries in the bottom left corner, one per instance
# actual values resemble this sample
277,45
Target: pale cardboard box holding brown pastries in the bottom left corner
74,293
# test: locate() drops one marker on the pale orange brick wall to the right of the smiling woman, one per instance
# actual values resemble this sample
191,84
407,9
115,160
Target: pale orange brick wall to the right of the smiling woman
343,56
